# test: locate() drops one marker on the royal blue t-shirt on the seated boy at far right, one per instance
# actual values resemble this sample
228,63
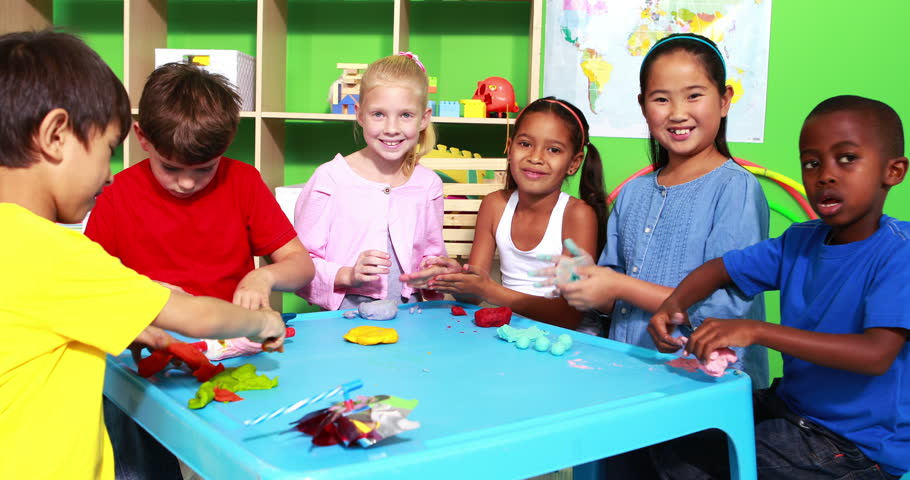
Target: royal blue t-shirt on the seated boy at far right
842,289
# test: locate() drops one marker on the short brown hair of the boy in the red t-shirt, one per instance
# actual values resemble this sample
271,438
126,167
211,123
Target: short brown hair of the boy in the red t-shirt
188,114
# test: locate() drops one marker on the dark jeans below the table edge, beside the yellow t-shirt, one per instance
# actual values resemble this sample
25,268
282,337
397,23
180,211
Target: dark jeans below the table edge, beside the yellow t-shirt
137,455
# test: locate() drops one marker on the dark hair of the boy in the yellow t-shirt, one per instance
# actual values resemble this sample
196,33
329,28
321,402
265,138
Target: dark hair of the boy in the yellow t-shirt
44,70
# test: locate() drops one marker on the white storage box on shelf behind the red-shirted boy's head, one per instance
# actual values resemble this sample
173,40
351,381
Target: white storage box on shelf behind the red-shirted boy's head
238,67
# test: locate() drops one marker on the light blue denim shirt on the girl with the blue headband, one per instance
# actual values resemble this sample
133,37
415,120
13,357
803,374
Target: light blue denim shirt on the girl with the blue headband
660,234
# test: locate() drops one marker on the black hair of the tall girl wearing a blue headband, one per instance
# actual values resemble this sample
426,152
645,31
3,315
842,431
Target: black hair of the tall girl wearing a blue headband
707,53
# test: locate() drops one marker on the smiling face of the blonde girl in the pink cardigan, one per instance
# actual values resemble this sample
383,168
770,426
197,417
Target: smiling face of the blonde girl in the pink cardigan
392,119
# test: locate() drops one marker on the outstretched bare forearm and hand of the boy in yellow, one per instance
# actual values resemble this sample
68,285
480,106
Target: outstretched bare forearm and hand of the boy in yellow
206,317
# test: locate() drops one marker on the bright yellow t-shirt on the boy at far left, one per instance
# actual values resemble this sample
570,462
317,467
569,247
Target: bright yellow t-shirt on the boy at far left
64,303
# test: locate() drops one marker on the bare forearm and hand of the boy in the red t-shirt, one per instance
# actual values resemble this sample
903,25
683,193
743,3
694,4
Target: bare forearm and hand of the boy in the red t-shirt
291,269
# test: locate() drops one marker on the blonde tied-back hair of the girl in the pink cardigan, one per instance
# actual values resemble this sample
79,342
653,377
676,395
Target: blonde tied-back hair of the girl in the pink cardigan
399,71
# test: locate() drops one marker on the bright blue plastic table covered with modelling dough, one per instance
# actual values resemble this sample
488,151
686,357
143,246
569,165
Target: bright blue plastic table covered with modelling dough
487,409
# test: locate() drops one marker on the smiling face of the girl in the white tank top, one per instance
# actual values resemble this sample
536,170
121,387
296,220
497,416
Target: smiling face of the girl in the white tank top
541,154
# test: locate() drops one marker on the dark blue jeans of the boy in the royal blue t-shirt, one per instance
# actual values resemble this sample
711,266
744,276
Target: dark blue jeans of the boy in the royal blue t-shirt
787,446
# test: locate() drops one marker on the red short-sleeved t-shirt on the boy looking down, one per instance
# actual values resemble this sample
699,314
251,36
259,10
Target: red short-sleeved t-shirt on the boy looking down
205,243
